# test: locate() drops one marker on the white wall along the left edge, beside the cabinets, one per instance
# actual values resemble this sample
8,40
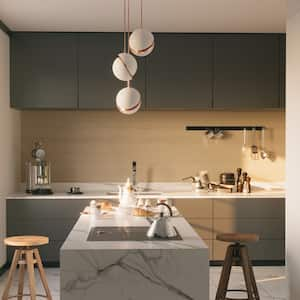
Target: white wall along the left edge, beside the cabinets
9,140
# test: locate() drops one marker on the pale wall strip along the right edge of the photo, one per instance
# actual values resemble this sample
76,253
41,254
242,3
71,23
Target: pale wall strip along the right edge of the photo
293,149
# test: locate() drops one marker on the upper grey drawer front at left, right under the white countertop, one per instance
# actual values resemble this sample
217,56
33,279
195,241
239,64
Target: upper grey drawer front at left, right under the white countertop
41,209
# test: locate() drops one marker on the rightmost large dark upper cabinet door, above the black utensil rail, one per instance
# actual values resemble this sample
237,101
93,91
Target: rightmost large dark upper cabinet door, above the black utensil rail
247,72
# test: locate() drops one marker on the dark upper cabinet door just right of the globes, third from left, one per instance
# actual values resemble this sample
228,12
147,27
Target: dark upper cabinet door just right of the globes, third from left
179,72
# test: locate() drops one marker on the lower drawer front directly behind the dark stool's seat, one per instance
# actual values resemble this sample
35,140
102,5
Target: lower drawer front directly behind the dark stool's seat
266,228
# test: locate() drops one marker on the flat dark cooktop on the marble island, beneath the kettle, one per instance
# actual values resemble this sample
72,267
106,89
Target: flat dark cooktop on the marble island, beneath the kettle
132,233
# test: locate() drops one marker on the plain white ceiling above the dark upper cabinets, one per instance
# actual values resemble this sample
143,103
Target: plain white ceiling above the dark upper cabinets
159,15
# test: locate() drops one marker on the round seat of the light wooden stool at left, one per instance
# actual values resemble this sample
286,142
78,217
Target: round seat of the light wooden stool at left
26,241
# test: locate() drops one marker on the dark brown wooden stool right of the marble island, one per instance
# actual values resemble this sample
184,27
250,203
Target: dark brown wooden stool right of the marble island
237,254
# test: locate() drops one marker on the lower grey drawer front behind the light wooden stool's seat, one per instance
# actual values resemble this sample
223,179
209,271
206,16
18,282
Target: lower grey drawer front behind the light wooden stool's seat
55,229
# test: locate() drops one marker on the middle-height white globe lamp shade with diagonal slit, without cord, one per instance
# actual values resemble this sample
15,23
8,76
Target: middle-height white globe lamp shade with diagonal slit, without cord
124,66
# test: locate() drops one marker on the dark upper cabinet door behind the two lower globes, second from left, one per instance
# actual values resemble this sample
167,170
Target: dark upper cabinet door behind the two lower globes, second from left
98,86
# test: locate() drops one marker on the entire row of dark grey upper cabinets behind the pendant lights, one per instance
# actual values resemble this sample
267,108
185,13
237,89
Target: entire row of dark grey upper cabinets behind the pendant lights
185,71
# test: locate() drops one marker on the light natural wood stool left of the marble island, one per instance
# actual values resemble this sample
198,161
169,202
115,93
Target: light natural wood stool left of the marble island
26,254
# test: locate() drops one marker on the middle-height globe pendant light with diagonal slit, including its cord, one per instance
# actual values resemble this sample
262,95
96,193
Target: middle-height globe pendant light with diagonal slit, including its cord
124,66
